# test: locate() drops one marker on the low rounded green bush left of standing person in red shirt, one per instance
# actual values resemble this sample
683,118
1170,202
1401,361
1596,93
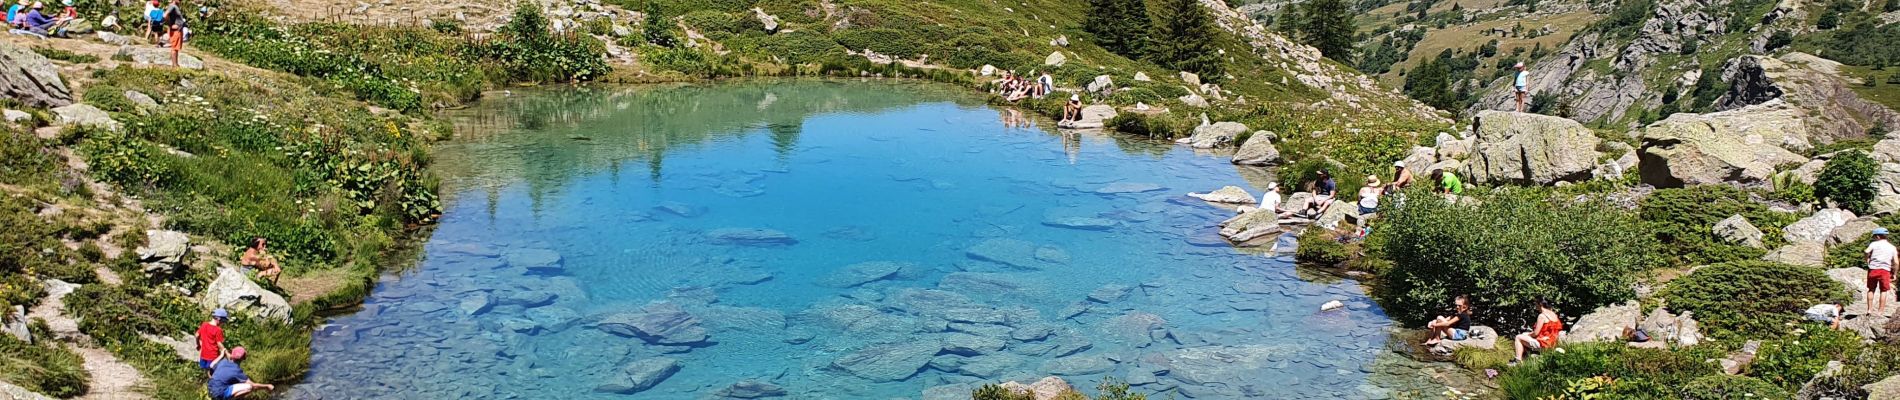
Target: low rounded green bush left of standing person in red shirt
1741,300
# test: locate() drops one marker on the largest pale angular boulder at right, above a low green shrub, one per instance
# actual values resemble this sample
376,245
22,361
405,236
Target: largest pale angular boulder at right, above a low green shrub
1738,147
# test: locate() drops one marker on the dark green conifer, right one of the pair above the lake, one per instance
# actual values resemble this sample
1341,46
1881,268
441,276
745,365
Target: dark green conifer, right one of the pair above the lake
1185,41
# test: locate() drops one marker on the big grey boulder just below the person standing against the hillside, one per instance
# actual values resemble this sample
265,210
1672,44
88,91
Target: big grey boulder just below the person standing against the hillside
1529,149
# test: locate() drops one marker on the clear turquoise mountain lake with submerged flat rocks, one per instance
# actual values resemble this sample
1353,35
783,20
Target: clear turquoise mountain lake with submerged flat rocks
835,240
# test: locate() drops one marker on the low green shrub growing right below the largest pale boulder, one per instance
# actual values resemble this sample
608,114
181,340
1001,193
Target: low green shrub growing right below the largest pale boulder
1684,223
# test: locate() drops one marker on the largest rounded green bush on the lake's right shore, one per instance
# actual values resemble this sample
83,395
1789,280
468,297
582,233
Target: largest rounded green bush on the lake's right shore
1508,251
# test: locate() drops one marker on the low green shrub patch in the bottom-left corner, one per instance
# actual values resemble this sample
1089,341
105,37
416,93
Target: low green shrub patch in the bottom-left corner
47,369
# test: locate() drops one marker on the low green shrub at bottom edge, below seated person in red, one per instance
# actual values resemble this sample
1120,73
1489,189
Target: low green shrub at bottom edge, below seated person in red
1635,373
